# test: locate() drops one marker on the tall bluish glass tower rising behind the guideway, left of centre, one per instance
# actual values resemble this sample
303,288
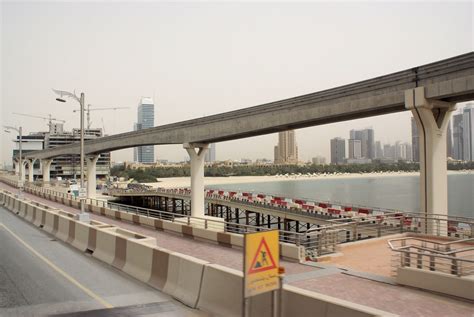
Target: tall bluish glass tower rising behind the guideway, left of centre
145,120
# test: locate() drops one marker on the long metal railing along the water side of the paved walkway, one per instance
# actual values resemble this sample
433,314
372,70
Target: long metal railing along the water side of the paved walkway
316,241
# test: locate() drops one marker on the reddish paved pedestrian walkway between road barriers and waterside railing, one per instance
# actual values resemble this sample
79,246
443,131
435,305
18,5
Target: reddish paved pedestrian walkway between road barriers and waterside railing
324,279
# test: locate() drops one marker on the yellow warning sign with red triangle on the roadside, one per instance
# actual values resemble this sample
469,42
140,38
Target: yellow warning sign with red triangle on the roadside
261,261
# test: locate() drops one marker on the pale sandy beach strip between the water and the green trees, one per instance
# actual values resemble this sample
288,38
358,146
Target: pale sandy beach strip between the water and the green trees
179,182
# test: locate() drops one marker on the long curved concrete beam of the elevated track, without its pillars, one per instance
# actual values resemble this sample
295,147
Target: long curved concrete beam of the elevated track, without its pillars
450,80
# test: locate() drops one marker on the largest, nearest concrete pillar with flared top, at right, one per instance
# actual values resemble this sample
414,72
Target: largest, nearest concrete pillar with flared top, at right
432,118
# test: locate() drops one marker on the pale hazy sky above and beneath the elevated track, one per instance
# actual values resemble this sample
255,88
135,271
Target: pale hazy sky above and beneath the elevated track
198,59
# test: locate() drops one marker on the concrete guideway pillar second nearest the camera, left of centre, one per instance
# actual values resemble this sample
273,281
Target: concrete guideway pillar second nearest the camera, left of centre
197,176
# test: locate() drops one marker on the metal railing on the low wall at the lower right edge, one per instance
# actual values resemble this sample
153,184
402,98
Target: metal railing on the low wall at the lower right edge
453,257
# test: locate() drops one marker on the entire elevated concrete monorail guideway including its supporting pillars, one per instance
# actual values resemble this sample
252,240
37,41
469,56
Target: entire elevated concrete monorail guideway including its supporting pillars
429,91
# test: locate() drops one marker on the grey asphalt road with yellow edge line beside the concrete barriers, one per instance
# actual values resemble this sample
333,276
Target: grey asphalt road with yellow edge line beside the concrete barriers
40,276
